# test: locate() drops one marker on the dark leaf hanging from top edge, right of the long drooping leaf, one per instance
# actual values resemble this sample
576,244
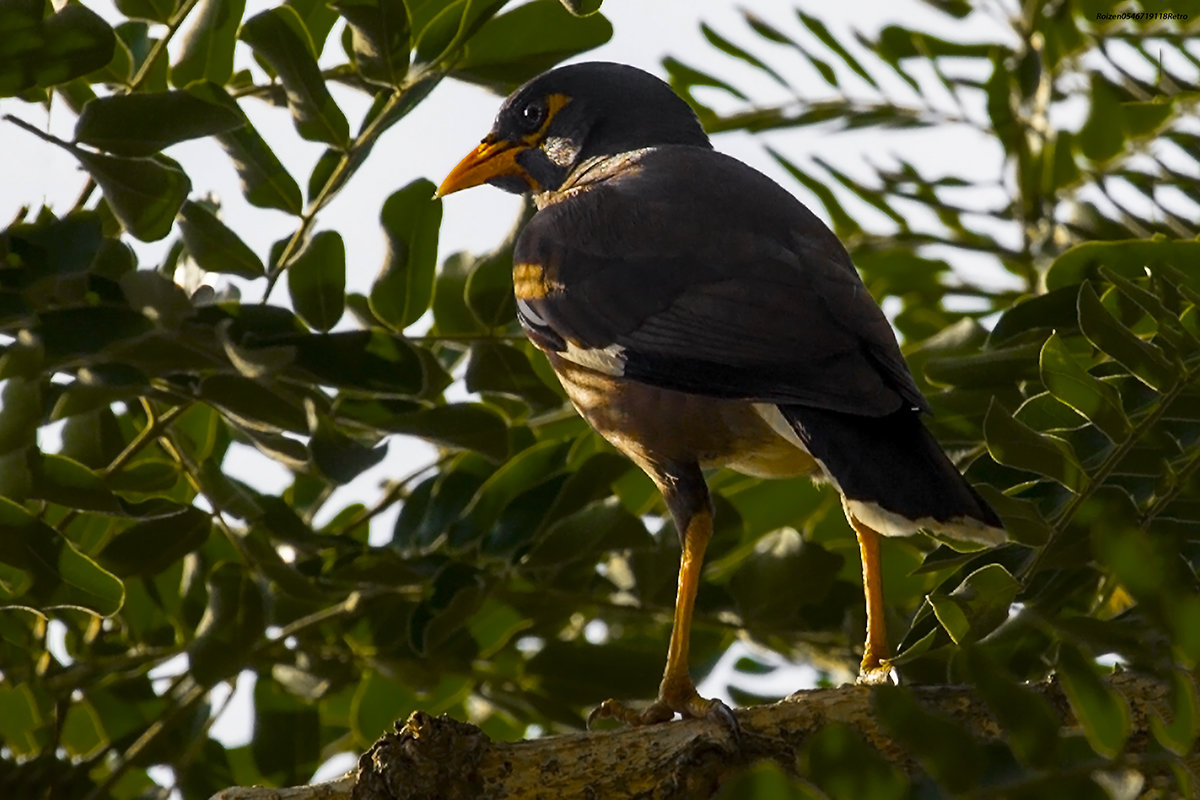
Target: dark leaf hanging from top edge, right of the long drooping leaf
381,38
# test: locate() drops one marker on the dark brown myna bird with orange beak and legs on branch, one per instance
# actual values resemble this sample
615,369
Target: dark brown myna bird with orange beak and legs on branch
699,316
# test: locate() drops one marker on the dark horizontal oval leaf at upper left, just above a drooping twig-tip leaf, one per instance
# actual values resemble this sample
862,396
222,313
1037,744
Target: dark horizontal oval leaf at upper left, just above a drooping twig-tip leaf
147,123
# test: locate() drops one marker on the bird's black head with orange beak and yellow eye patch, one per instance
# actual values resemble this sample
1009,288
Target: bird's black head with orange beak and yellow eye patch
569,116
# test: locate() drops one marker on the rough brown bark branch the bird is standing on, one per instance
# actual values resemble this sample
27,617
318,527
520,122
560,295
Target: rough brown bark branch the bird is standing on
439,757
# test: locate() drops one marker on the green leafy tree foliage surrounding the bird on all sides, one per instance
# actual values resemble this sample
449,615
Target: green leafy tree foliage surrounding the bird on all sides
1072,393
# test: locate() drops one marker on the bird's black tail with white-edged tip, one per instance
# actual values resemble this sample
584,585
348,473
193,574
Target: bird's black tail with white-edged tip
893,476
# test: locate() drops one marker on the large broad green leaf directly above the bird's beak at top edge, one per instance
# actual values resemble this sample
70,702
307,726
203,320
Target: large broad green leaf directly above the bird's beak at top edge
525,43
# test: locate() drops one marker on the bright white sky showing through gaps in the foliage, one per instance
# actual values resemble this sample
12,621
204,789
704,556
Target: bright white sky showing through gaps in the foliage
449,124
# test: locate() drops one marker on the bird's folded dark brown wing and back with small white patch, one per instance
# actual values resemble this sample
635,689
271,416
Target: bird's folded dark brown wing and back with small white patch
689,270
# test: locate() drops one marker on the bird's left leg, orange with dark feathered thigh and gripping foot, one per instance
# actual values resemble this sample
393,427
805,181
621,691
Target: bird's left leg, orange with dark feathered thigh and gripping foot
687,497
